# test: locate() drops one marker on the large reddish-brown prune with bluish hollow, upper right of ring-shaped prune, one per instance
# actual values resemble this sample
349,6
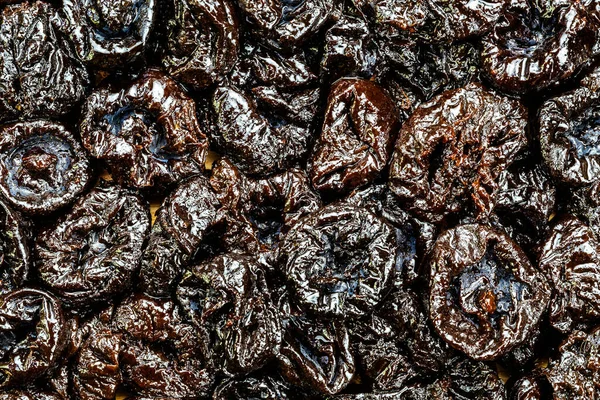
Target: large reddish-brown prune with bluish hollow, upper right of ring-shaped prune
147,134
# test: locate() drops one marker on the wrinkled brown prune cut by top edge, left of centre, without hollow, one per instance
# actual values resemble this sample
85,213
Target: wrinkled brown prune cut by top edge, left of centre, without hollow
203,41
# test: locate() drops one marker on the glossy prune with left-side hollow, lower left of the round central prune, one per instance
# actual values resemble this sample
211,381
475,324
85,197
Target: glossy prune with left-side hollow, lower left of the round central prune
229,297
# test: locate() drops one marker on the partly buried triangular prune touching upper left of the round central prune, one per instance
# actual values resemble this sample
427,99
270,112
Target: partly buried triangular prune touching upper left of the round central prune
270,206
